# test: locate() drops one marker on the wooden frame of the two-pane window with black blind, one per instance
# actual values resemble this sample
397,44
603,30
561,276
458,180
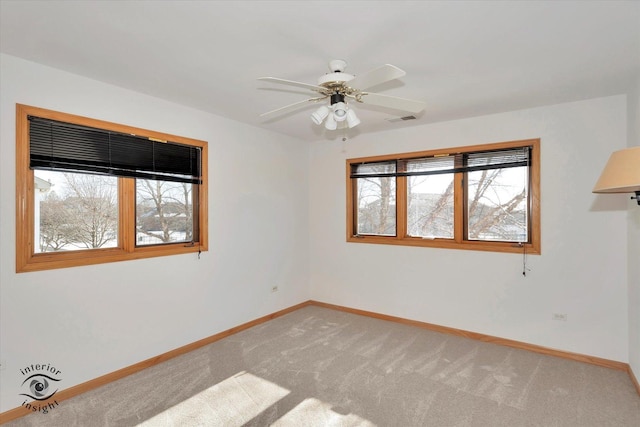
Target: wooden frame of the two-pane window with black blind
26,258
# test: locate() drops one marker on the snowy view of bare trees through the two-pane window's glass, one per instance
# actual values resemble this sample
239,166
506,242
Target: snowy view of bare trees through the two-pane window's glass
80,212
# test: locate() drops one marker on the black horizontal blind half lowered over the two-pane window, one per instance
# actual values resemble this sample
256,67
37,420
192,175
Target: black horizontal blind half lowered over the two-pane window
68,147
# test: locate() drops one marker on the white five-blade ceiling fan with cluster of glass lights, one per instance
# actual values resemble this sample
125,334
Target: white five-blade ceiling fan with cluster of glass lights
340,88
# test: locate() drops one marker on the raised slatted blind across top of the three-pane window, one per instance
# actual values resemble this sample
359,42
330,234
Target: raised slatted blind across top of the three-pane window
452,163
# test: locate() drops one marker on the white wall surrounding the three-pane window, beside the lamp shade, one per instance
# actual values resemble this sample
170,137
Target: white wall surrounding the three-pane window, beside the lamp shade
583,267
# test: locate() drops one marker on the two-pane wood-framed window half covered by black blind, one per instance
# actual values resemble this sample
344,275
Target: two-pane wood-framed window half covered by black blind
90,192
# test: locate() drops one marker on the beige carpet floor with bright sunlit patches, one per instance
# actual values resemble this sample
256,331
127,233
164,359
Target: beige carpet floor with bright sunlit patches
320,367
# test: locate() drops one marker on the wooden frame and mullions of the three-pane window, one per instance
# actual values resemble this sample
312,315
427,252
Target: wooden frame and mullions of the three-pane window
533,246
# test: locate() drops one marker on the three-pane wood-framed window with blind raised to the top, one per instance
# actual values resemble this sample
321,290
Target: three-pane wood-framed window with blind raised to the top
480,197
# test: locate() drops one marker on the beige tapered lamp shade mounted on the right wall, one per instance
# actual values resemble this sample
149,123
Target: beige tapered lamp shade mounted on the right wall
621,173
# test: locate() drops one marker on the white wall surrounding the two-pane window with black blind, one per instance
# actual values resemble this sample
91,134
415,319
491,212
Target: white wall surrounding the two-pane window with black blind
89,321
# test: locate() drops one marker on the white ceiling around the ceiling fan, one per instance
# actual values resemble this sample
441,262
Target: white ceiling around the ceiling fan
463,58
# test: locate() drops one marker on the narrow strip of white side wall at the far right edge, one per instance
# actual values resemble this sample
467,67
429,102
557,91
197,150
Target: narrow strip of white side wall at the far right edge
634,244
